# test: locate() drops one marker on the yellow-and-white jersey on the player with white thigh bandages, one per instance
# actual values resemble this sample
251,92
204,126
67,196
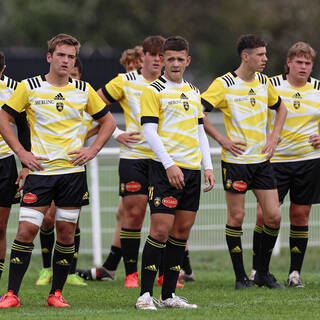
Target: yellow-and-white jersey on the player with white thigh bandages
55,116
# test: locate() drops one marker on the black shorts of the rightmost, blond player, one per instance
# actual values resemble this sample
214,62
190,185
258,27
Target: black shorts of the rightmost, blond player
302,178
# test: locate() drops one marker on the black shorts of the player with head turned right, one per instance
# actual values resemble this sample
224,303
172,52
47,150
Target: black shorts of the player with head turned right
238,178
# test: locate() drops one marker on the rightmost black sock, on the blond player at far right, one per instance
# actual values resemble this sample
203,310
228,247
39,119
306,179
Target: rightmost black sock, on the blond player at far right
298,245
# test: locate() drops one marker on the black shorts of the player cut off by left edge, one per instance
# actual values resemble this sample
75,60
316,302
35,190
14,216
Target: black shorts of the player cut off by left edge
8,177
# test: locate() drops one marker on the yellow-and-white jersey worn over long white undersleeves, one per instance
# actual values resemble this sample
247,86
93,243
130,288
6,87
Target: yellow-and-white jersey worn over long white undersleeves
177,110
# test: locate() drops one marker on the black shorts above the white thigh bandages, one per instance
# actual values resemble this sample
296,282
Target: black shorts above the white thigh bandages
66,190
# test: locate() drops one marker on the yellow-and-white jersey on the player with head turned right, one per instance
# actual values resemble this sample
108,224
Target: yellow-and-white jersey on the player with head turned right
245,111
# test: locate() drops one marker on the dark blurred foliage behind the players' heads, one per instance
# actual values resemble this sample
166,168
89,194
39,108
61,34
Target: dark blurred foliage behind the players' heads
212,27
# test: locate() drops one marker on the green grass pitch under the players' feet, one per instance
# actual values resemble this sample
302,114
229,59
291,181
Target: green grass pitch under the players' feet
213,291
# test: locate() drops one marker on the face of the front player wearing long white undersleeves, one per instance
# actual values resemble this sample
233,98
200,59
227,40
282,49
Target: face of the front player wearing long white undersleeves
175,63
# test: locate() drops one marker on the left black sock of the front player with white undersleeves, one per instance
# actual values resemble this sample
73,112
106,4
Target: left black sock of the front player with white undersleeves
151,257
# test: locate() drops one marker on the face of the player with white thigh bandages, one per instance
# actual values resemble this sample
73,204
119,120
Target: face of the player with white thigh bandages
62,60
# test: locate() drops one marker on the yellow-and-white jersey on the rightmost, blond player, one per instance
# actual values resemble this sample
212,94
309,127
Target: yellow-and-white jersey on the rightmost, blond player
302,121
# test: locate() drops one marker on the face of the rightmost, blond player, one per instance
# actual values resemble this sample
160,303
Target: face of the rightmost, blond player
300,67
